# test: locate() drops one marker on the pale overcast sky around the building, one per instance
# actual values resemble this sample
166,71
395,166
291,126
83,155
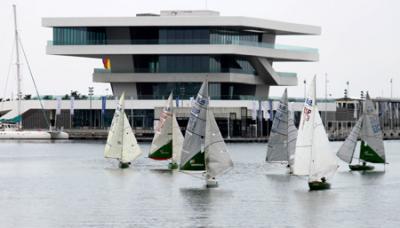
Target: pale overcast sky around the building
360,41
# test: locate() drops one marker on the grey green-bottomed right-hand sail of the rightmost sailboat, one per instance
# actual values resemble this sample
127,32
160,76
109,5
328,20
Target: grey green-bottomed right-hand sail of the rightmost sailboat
372,149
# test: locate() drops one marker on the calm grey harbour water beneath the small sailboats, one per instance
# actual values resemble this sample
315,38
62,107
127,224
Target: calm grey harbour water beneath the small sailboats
69,184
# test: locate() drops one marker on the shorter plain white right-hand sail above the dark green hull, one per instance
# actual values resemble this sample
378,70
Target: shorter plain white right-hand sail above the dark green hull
323,161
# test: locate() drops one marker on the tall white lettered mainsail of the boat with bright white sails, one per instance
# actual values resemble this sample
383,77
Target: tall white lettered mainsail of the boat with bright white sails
304,141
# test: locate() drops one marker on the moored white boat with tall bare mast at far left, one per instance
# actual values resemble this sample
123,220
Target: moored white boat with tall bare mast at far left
12,128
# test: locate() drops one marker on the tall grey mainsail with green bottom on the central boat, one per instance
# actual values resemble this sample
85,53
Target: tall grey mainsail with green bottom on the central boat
192,157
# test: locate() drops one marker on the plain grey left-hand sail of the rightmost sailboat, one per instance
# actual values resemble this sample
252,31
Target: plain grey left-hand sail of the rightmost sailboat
346,151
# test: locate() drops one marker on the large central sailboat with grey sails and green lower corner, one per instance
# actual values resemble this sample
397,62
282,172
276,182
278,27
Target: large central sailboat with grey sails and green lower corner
214,159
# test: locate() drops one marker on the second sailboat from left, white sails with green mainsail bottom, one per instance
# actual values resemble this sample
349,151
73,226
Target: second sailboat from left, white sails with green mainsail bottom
167,141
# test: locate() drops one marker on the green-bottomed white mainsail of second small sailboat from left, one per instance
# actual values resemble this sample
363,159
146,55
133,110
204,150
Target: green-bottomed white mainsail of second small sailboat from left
161,147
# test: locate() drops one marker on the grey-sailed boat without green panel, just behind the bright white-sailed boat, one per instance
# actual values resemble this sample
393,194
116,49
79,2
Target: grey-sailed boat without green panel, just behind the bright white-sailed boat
282,141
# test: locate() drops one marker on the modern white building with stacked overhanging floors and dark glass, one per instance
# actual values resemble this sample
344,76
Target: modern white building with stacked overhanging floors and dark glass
150,55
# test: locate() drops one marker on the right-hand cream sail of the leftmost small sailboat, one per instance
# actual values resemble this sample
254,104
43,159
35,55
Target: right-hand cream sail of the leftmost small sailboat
130,149
